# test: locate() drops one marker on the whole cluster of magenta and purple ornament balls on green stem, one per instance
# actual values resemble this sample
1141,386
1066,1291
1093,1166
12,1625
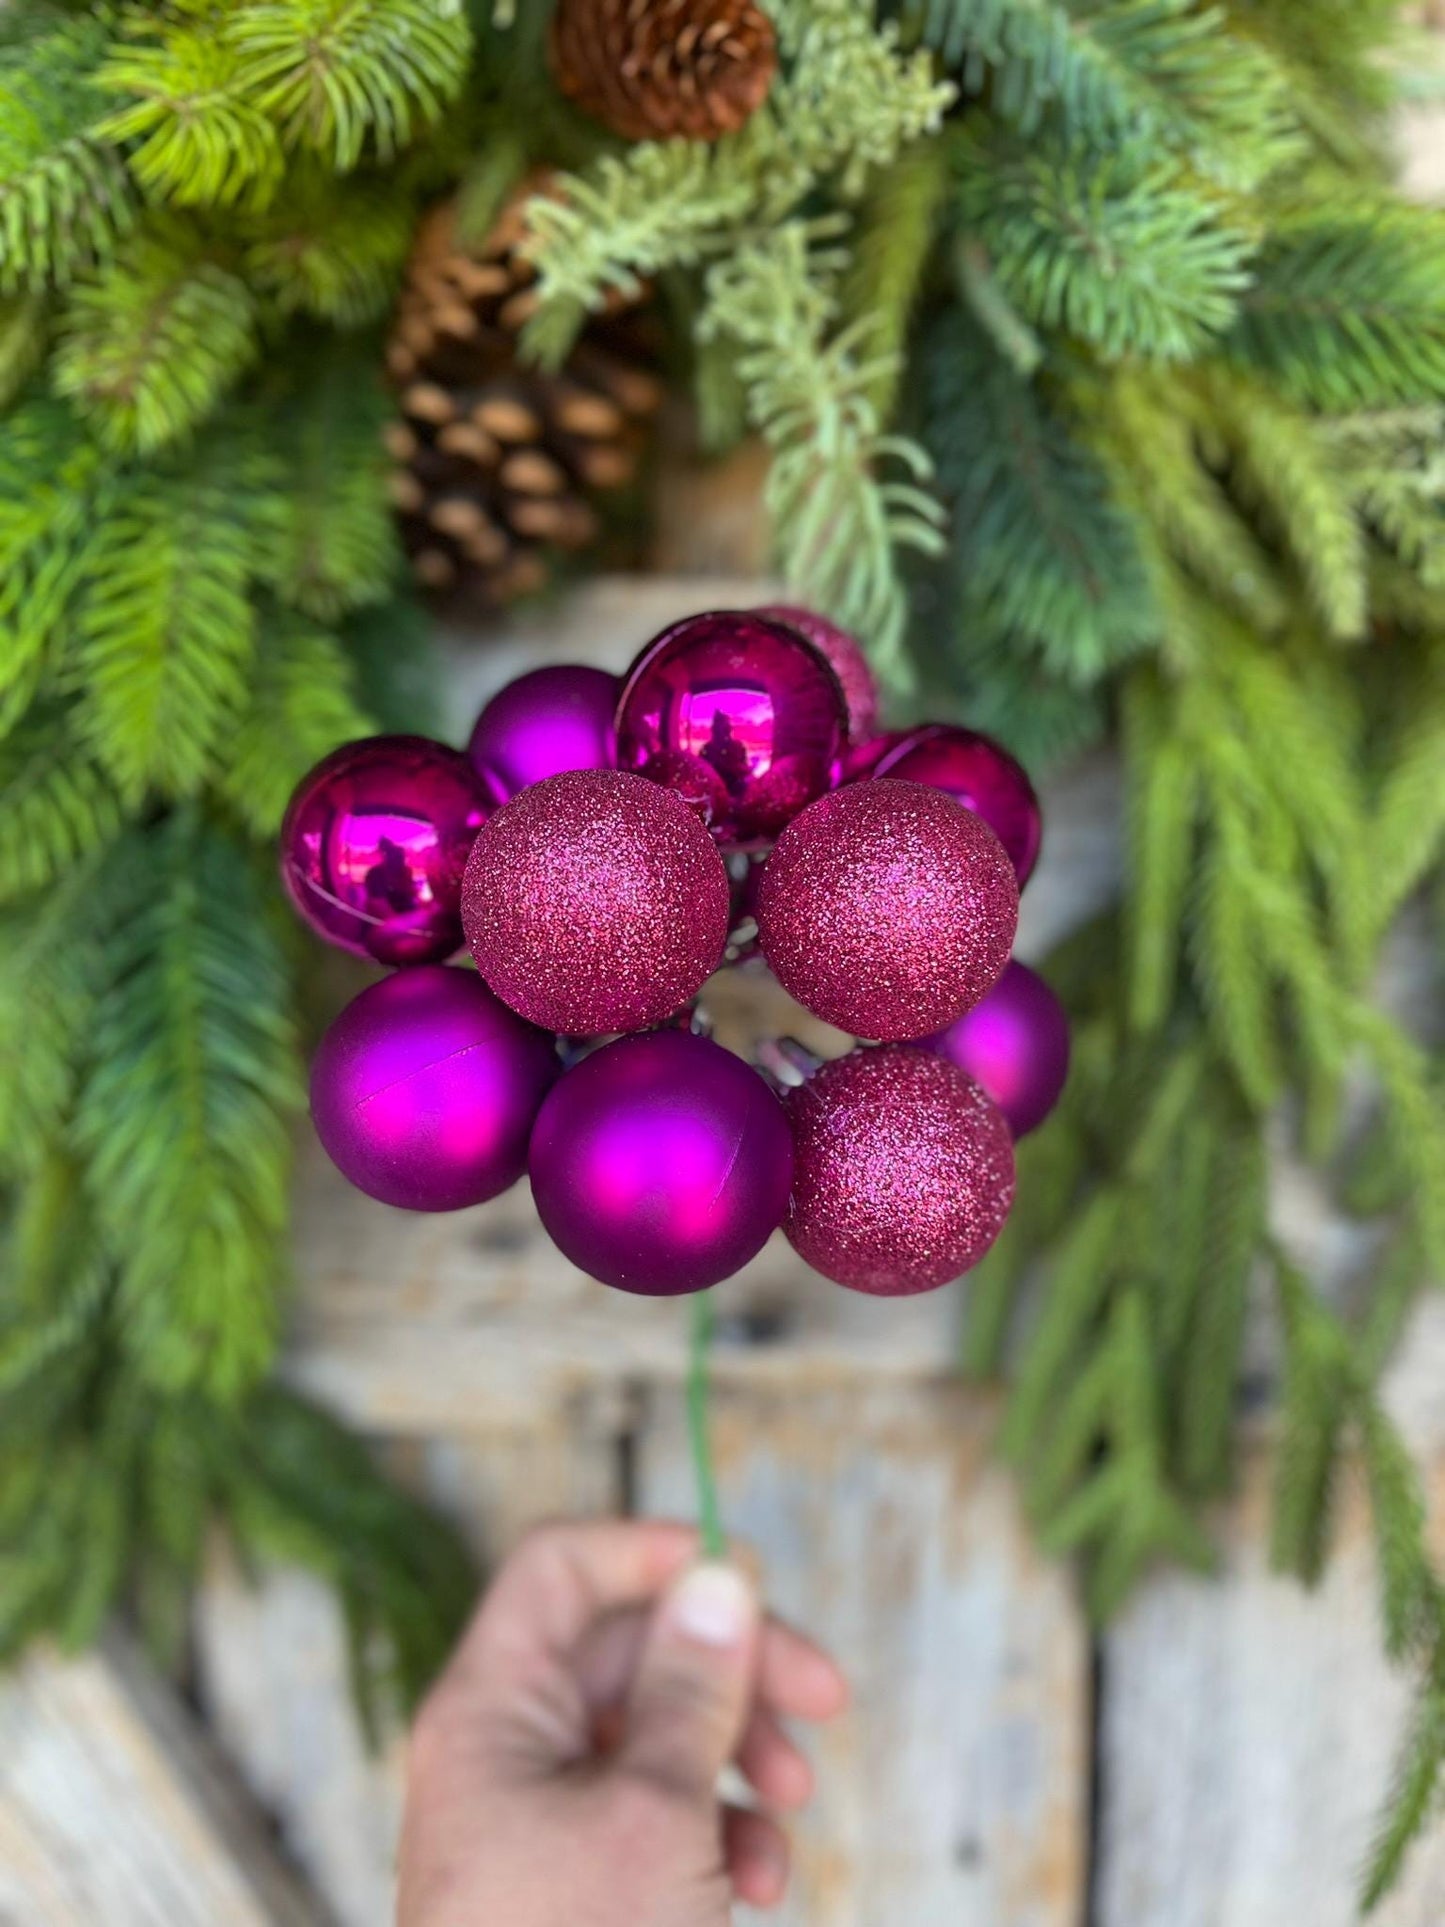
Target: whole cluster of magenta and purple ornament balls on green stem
602,849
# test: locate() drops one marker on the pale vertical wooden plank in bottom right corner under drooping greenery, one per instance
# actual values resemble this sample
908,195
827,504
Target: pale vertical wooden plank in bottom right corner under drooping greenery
1249,1731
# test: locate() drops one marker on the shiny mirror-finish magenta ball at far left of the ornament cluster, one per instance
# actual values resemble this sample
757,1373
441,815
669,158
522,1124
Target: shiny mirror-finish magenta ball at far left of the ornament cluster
375,847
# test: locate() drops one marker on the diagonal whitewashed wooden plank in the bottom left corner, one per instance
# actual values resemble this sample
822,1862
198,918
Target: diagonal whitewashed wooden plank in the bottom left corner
113,1808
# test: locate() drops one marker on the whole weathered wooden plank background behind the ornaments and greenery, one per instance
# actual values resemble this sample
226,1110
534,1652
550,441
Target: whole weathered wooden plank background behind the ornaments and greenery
1213,1762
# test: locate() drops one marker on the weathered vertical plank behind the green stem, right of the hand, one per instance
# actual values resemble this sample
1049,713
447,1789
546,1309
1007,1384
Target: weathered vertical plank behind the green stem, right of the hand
955,1791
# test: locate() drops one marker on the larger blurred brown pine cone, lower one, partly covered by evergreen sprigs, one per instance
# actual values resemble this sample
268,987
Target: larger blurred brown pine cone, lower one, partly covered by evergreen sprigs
498,463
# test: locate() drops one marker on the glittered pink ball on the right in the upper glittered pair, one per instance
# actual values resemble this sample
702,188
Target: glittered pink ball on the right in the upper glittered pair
887,909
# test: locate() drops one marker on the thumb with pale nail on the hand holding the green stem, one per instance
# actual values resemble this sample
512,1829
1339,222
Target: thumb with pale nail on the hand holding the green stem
695,1683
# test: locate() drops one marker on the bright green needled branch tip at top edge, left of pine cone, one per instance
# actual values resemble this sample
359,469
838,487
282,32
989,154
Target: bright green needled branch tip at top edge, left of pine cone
342,74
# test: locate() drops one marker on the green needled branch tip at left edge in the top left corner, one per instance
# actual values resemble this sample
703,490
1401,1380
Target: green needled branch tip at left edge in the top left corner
65,198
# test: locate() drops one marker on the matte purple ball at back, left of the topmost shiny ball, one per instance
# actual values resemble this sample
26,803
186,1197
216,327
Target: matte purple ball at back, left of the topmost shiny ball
542,724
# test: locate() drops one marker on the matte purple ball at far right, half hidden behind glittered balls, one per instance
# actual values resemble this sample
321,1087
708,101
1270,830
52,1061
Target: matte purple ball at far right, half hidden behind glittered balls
1016,1045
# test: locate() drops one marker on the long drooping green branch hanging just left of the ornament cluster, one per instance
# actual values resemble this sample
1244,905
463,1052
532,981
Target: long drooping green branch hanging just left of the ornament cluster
186,1111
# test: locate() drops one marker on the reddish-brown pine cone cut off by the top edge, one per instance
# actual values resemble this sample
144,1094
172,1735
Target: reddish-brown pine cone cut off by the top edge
654,70
